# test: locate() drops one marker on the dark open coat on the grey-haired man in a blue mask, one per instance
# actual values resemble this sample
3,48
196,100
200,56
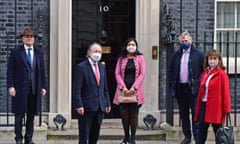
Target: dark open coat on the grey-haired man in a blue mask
195,69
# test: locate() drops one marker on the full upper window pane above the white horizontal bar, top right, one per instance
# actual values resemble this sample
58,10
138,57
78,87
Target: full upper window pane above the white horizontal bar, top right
225,15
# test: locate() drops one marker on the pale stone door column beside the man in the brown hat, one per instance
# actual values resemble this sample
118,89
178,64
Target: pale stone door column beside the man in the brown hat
60,60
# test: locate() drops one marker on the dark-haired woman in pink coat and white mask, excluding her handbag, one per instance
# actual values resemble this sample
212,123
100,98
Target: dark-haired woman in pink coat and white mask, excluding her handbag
130,72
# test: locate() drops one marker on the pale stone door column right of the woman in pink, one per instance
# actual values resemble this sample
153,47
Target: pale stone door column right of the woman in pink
147,34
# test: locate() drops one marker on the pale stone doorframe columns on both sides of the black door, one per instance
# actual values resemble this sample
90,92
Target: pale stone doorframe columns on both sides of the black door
147,34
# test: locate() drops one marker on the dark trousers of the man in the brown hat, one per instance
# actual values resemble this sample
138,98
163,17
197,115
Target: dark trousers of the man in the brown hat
31,108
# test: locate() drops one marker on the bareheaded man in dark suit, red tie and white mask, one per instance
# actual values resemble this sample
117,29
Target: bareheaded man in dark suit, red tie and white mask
91,97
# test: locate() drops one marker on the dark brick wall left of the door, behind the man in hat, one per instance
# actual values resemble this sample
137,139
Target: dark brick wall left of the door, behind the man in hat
14,17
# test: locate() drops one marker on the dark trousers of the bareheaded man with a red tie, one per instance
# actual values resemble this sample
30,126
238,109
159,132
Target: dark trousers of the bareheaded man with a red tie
89,126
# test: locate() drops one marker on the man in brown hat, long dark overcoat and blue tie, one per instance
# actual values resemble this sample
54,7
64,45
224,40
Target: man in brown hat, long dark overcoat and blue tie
26,84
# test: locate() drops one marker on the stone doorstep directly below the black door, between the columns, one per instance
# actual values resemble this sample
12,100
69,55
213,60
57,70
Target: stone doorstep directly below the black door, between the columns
111,129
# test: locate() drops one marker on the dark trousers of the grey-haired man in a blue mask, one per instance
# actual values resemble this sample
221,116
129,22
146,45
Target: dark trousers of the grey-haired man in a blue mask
187,101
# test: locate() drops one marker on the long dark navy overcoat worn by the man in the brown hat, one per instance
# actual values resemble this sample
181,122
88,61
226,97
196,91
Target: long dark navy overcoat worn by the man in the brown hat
17,77
